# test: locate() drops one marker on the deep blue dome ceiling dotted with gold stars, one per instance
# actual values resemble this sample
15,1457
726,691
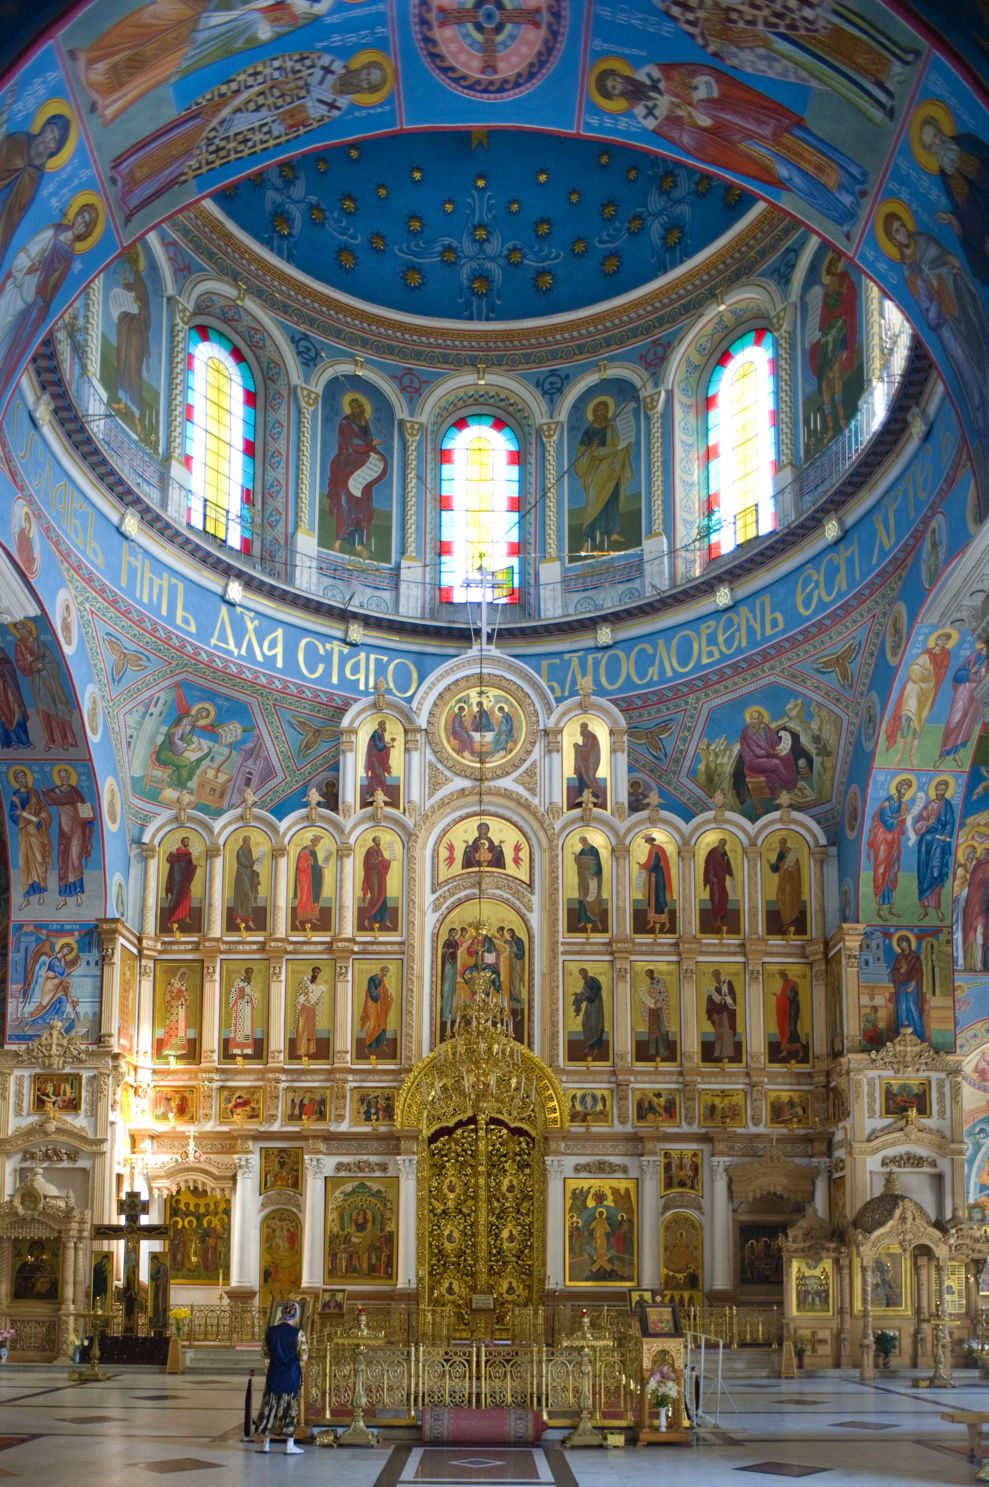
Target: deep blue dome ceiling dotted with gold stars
486,225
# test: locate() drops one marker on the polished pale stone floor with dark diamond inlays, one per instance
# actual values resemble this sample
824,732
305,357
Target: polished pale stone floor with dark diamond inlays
141,1427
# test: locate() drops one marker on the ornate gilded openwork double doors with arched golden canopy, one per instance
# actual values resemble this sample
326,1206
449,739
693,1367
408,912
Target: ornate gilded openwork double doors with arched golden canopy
481,1106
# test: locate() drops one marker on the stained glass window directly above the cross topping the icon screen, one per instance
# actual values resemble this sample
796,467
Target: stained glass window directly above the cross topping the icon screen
480,509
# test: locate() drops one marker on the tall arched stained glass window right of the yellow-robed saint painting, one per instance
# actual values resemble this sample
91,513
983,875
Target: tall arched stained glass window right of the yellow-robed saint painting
741,447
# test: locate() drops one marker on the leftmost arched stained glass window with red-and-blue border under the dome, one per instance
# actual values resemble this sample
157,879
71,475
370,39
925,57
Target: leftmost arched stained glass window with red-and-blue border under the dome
221,428
